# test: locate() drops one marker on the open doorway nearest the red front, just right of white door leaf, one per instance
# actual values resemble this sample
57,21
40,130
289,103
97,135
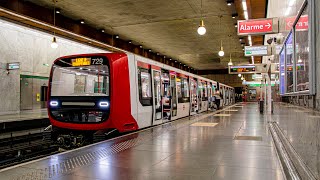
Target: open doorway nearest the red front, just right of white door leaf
166,95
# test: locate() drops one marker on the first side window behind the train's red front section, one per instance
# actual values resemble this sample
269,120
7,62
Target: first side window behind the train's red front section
144,80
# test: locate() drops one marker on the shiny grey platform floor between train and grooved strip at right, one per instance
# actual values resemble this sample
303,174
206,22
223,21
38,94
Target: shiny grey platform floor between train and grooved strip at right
233,143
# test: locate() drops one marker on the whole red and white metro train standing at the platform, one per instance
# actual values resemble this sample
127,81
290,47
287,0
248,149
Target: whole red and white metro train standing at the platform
91,95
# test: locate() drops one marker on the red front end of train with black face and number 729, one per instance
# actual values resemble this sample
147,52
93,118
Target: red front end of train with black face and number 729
89,96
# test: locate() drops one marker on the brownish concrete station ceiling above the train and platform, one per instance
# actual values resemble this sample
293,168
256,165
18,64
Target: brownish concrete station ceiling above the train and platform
169,27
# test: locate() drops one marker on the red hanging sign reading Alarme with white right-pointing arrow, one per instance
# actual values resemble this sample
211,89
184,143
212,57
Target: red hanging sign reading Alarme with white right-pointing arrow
257,26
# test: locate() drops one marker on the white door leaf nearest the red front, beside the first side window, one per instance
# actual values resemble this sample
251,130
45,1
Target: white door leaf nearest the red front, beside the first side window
156,101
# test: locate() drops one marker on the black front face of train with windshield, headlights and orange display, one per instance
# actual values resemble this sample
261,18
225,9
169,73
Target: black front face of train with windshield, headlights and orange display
80,90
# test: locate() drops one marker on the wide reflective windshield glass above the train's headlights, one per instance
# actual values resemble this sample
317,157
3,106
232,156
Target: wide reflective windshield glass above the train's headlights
80,81
